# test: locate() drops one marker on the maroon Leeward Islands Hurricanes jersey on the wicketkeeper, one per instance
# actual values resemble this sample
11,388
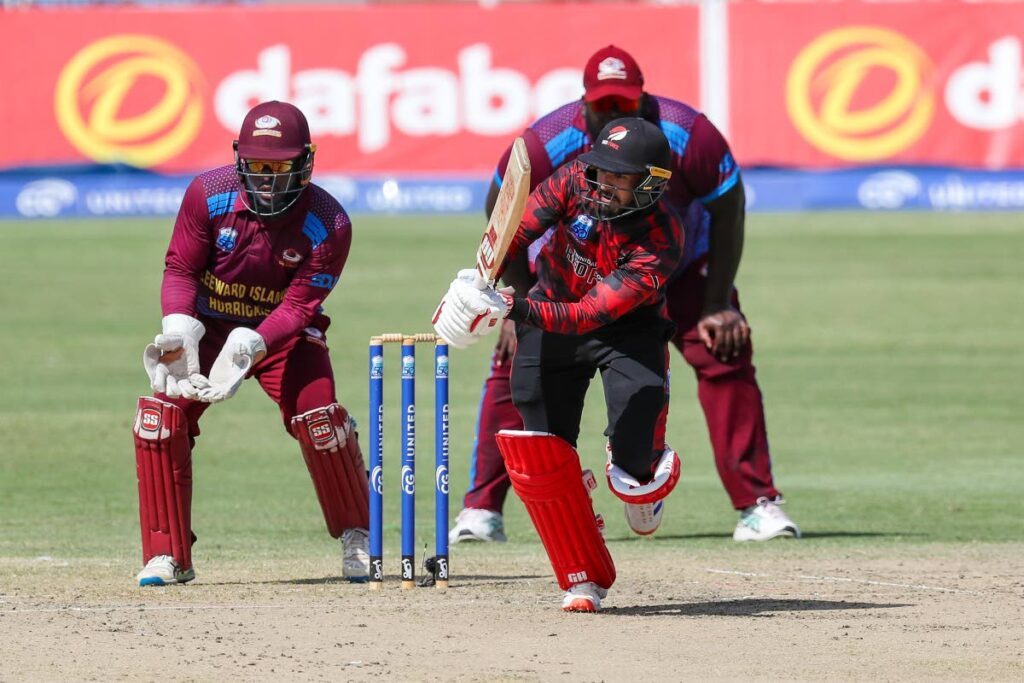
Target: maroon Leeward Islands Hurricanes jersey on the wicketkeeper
226,268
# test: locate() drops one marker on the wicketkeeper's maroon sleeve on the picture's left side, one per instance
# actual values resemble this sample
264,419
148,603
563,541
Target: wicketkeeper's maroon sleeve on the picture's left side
188,254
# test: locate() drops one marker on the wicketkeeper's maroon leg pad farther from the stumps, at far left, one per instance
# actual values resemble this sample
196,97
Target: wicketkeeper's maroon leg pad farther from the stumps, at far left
163,463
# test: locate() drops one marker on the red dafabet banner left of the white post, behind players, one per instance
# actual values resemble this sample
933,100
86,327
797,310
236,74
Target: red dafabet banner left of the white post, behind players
418,89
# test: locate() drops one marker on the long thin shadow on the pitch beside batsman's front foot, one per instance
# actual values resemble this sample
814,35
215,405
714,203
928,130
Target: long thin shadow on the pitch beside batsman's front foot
746,608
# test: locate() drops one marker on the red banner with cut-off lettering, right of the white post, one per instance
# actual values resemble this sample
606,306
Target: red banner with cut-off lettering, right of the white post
848,83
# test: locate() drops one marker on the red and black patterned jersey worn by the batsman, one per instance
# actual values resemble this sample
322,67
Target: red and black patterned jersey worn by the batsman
593,273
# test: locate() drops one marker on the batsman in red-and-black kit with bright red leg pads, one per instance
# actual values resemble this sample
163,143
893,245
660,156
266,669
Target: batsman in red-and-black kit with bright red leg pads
599,306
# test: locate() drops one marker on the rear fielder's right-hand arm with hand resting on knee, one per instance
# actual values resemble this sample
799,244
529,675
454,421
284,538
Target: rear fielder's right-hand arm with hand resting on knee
714,177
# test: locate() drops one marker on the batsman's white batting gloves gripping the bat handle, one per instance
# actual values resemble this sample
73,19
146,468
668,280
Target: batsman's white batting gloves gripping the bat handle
470,311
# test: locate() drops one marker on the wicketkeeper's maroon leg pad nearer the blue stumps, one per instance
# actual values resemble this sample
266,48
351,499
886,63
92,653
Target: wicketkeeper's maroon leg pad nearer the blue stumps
331,449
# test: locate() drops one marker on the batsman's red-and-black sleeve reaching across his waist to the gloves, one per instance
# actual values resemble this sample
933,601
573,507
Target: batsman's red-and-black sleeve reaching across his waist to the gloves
635,283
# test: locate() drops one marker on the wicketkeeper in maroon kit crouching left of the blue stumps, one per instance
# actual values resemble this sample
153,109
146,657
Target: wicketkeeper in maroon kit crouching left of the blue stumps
255,251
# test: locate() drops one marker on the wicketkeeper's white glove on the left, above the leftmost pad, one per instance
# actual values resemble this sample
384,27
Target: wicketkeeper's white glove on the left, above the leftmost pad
180,341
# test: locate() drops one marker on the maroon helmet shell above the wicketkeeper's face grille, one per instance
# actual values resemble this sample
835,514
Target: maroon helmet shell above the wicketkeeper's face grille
275,132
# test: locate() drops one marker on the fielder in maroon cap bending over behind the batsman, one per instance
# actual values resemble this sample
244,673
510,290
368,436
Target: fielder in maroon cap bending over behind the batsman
711,331
